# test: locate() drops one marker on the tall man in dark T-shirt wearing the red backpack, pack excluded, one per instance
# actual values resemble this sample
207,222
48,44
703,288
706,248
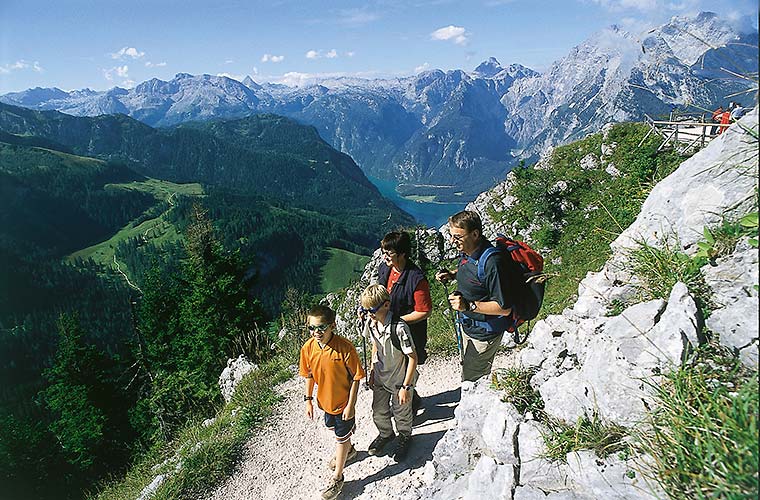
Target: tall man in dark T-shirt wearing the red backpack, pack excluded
482,305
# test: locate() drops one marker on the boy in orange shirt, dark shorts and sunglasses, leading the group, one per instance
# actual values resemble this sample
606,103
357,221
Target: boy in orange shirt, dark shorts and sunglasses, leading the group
331,362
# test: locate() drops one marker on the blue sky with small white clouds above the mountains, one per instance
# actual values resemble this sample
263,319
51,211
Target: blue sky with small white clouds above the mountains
98,44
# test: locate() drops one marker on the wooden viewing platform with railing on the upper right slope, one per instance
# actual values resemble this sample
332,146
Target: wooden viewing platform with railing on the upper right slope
684,133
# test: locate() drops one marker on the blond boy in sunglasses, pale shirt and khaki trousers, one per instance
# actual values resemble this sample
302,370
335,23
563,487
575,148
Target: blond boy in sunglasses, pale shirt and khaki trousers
393,373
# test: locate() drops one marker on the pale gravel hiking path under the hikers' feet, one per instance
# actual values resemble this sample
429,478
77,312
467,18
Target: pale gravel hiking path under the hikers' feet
288,458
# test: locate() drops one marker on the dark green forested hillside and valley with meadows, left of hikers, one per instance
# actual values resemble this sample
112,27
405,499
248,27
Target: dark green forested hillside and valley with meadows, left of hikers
210,224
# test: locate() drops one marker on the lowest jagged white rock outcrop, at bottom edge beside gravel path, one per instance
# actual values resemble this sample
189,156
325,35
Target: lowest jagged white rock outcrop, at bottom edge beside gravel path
495,453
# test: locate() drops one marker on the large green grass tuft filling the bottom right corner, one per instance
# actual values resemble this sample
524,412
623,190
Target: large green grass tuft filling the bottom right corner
703,432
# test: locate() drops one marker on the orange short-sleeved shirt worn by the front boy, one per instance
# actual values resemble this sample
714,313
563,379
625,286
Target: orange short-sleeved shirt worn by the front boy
334,367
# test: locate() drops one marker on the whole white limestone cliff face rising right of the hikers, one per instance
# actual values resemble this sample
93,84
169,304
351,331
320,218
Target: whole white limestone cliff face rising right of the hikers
587,362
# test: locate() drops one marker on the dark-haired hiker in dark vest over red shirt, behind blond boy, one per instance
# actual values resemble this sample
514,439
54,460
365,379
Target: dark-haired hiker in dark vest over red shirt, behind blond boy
409,292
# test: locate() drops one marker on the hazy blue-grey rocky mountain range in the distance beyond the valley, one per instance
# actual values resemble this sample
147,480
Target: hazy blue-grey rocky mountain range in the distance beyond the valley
454,133
